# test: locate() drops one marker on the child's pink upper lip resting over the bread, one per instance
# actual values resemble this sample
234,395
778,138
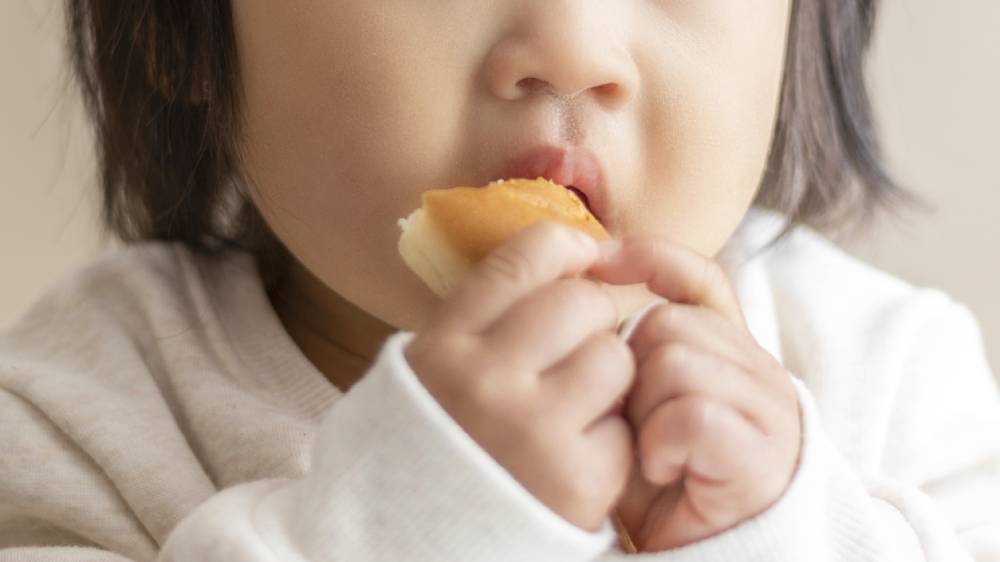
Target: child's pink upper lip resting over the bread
568,166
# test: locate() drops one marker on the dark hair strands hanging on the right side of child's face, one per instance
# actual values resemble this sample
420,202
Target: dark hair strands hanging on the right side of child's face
825,168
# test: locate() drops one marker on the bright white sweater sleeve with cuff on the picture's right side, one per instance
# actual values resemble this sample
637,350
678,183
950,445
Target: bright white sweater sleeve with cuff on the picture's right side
937,495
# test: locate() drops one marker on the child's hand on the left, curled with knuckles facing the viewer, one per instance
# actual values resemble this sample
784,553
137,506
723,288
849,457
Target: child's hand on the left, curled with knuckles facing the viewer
527,362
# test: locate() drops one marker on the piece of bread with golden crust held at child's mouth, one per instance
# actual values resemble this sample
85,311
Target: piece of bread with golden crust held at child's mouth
455,228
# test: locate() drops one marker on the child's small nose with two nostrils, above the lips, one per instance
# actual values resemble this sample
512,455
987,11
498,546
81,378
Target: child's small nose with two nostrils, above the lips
566,49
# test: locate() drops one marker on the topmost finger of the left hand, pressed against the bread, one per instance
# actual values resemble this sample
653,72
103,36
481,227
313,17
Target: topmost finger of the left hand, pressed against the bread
539,254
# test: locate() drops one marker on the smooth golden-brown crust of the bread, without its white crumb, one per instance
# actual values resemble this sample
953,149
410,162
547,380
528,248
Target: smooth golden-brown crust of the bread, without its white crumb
478,219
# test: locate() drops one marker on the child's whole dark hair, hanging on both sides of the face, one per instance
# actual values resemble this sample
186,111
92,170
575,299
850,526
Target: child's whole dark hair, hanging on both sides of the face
160,80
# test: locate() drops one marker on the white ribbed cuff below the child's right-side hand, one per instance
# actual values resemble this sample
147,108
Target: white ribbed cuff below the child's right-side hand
824,514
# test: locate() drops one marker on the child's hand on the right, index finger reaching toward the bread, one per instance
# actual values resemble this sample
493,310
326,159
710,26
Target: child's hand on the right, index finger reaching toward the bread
716,416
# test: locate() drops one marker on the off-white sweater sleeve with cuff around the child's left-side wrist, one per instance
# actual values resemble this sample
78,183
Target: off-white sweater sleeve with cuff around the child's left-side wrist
393,477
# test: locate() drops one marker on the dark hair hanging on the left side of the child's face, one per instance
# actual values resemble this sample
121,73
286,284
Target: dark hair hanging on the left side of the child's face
160,81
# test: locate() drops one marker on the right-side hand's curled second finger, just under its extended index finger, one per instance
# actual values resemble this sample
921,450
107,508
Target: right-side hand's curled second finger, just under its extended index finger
695,326
